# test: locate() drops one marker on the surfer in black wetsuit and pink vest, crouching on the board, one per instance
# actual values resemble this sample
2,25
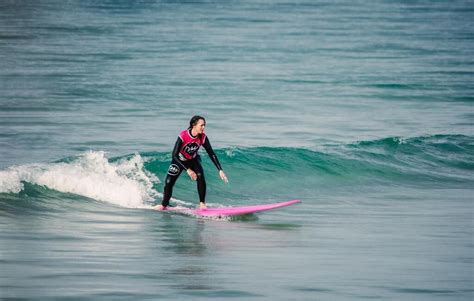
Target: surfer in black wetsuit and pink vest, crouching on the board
186,157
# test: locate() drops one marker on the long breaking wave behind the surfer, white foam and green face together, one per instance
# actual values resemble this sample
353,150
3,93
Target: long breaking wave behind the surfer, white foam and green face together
262,173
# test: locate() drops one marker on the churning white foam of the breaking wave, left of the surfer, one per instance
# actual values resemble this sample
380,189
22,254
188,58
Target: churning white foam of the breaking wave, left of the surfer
124,183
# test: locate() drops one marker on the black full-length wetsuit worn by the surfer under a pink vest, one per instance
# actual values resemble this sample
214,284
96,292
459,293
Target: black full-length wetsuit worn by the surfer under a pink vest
179,163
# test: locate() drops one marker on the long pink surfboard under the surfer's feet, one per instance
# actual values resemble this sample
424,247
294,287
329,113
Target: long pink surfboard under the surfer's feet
229,211
